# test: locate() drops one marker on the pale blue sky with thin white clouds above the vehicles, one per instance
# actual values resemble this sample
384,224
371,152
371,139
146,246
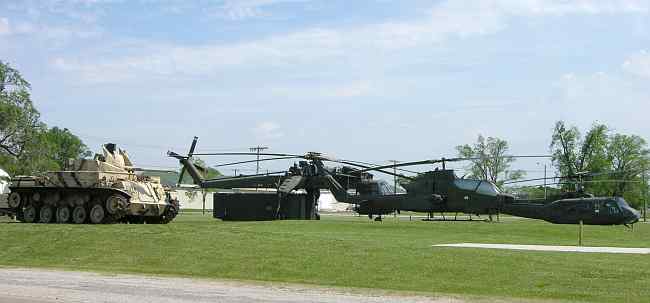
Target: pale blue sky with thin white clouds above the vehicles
368,80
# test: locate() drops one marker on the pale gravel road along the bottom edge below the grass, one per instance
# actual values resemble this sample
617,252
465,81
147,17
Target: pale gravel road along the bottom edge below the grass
45,286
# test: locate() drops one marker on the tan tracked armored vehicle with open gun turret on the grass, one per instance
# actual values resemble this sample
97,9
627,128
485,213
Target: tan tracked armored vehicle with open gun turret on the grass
102,190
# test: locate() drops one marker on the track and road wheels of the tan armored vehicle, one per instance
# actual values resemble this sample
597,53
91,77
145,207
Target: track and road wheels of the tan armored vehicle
78,206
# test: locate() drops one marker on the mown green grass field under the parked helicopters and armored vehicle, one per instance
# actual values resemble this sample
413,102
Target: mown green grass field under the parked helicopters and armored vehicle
350,252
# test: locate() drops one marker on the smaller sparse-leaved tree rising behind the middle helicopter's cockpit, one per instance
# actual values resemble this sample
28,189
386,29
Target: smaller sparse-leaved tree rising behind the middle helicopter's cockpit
489,160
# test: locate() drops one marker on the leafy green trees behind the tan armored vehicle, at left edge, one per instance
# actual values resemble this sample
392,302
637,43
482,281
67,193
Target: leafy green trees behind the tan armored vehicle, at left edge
28,145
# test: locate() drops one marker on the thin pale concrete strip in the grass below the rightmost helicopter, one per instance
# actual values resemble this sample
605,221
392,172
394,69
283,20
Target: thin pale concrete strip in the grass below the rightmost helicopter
586,249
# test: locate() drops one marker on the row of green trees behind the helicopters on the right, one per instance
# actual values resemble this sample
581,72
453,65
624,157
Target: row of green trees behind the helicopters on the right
605,162
